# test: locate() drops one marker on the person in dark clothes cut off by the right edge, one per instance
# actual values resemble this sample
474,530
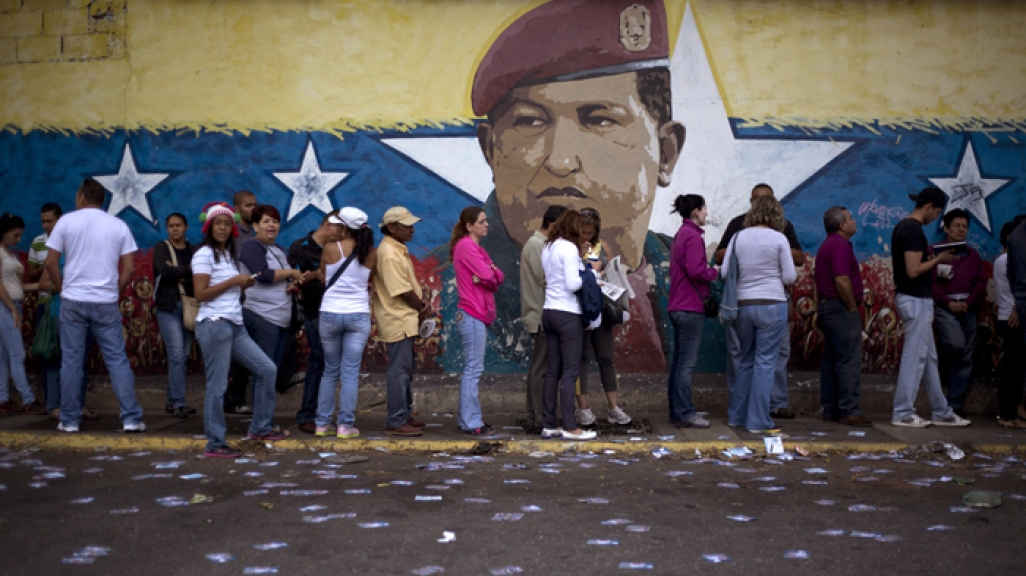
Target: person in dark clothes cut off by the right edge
1010,390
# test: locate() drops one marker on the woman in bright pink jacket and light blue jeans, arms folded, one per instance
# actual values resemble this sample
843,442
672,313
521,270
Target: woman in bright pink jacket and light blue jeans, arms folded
477,281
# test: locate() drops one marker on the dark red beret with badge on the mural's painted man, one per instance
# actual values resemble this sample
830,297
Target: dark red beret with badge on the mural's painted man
572,41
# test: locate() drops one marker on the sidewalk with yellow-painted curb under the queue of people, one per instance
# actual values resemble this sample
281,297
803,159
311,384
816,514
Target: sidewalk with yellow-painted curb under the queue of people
648,433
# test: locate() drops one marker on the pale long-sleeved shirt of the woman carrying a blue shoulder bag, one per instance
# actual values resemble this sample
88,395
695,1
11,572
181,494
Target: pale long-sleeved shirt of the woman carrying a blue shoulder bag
765,264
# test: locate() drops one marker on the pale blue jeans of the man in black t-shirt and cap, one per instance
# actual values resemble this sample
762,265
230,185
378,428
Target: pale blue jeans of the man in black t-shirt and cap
919,360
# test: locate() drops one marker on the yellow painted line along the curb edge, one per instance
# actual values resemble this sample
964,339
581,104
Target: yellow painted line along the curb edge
120,442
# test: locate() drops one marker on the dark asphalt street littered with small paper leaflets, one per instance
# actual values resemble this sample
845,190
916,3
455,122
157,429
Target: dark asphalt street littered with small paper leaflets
568,514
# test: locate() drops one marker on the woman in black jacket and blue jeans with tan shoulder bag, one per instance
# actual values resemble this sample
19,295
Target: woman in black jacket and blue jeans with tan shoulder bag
172,266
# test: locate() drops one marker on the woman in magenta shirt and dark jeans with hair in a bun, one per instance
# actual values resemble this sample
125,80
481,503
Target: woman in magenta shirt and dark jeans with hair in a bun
690,280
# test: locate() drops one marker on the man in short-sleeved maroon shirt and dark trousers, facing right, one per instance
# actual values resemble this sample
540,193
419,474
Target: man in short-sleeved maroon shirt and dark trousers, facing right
839,285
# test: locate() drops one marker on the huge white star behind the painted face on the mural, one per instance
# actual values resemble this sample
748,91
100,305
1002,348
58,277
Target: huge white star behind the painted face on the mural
715,164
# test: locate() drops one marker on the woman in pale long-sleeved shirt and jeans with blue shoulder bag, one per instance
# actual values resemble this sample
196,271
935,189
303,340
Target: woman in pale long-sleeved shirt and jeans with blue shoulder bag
765,267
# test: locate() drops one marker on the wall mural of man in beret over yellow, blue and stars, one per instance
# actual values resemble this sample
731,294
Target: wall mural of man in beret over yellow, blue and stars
857,106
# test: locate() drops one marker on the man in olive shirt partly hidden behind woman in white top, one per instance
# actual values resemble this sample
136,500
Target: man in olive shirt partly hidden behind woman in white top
532,301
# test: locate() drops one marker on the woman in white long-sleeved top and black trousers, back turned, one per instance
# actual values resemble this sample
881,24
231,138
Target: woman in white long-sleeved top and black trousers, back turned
564,325
